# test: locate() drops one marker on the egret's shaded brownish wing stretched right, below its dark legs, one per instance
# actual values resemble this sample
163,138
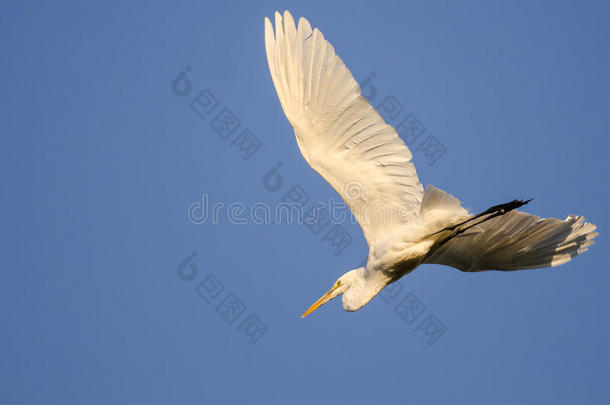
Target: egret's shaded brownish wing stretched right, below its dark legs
515,241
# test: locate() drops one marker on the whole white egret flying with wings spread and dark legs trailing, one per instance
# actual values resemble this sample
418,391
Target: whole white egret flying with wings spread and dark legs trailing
344,139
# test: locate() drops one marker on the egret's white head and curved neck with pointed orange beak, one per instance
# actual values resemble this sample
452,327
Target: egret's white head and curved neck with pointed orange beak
351,286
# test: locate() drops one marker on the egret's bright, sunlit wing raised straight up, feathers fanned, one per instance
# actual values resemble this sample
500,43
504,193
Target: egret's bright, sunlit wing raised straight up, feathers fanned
340,134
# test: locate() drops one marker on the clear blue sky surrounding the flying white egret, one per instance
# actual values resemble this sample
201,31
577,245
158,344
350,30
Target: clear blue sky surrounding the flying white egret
100,160
